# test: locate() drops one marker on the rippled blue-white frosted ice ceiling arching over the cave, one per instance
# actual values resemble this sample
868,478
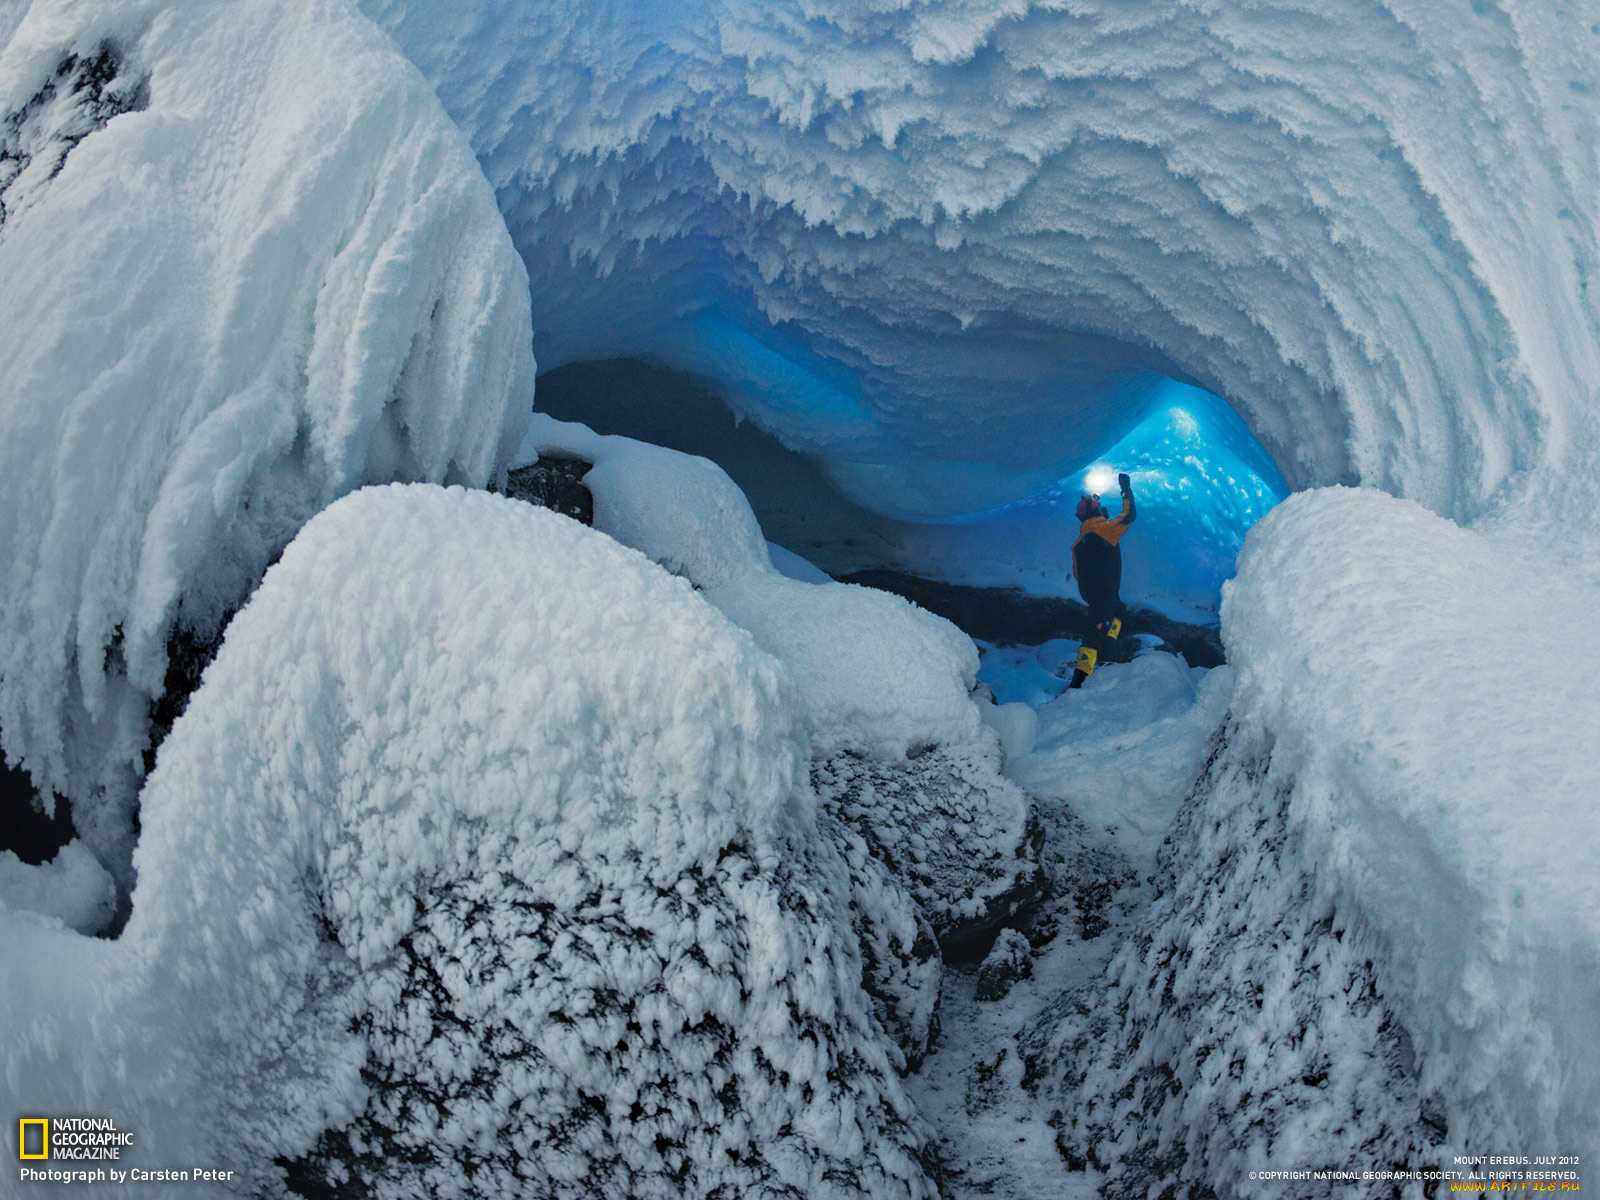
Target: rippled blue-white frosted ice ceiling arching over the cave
926,239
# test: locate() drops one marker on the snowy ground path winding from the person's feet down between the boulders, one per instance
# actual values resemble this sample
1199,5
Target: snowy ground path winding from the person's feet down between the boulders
1124,751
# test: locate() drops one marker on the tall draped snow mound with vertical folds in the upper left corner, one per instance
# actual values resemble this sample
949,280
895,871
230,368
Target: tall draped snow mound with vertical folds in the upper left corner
249,266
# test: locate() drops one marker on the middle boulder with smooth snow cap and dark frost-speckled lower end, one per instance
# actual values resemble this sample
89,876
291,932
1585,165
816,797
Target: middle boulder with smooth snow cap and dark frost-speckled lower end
902,754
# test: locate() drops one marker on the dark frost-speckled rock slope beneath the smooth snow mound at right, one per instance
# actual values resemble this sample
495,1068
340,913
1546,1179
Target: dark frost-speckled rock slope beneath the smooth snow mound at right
1238,1031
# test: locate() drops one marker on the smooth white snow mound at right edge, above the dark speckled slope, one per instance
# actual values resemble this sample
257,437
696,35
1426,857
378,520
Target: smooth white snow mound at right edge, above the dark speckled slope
1428,697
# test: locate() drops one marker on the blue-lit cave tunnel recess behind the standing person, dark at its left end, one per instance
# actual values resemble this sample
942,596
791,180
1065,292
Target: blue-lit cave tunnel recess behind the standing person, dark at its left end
1199,476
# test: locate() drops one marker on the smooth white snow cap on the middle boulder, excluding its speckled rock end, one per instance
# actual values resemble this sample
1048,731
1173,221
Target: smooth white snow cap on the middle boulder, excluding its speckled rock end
874,671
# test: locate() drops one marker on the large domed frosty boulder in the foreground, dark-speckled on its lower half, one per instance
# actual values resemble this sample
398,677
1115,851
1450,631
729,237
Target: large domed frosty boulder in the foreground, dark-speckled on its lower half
484,863
